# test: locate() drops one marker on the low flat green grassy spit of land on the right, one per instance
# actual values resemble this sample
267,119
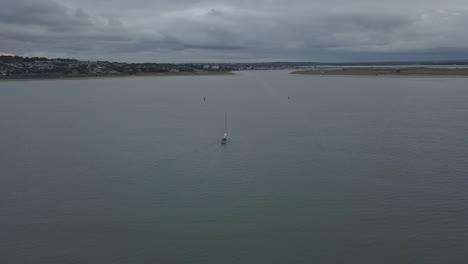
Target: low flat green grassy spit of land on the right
403,72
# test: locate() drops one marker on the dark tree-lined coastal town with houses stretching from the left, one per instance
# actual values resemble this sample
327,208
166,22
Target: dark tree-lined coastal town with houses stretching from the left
19,67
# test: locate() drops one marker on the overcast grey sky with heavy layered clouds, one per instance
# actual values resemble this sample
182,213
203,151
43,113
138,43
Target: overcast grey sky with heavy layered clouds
232,31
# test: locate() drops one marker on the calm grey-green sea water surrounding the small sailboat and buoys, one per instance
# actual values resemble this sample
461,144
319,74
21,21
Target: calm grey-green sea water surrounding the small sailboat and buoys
130,170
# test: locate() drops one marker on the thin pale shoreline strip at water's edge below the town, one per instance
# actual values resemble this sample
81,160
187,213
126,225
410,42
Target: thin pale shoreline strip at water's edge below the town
94,76
